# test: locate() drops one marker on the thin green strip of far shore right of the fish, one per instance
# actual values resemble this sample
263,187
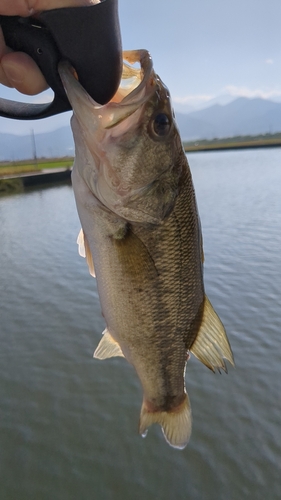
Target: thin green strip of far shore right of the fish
238,142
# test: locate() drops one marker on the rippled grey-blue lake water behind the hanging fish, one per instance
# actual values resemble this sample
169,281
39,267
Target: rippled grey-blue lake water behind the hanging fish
68,423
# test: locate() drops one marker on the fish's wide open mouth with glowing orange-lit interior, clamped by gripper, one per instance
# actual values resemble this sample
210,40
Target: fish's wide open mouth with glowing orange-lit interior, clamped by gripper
136,87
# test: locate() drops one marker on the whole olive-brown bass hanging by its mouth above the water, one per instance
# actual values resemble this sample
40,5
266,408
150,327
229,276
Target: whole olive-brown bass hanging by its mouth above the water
141,237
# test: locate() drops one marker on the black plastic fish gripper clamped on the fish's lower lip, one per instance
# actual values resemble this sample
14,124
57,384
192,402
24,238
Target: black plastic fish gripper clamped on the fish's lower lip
88,37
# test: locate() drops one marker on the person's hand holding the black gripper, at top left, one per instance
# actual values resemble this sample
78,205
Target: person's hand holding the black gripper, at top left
17,69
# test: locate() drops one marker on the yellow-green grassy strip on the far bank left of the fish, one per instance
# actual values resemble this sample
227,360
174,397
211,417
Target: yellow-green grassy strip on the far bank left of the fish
30,166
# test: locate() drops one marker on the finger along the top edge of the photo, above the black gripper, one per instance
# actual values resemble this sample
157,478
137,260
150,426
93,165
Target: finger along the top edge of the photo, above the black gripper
28,7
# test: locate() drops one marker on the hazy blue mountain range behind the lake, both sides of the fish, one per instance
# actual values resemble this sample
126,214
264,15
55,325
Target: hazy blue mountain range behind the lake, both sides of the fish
242,116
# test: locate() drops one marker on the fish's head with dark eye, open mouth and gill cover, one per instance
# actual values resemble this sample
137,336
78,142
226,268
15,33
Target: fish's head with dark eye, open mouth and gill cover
128,151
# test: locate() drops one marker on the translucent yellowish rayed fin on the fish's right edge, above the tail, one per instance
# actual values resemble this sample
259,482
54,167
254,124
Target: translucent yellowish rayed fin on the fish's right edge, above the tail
211,345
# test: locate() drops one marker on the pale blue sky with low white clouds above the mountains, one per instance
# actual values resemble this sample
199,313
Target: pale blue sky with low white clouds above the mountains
202,49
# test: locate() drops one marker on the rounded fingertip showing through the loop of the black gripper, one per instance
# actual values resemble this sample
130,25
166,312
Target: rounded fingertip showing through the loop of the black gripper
22,73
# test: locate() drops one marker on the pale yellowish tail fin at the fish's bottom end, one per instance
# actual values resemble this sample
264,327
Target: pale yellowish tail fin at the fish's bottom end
176,424
